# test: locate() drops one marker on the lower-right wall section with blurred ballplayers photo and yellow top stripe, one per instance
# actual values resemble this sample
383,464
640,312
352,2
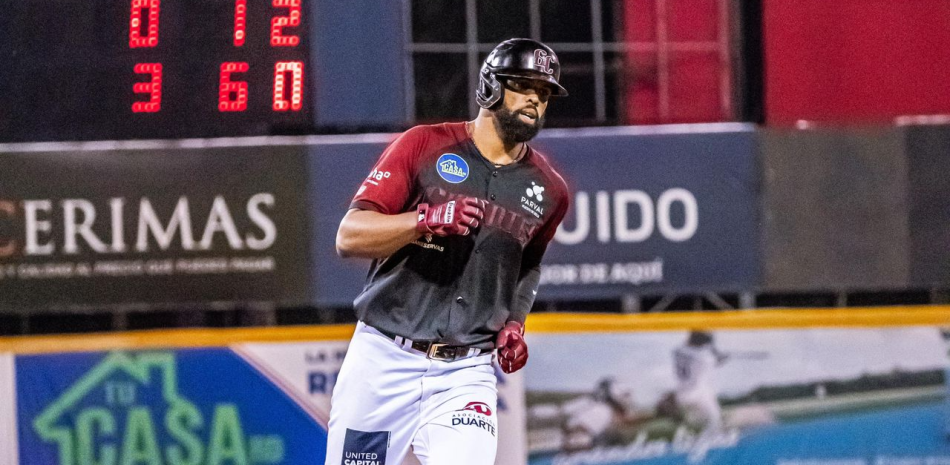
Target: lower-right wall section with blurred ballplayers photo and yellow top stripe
854,387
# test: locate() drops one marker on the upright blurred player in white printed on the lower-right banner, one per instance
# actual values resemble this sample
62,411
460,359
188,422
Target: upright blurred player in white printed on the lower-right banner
696,394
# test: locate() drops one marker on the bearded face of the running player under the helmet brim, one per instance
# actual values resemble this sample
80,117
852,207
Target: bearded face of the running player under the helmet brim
521,114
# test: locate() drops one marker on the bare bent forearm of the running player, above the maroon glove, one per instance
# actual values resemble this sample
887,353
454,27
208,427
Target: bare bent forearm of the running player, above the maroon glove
369,234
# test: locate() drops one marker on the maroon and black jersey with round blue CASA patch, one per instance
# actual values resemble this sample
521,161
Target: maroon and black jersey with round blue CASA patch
459,289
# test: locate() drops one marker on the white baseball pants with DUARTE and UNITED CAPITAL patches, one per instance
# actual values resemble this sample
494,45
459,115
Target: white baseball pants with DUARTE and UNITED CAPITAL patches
391,398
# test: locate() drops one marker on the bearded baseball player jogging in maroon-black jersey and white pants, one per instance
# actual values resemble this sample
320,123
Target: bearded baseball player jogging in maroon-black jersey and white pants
456,218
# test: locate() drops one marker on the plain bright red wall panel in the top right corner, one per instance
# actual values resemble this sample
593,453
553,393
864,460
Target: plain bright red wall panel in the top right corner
855,61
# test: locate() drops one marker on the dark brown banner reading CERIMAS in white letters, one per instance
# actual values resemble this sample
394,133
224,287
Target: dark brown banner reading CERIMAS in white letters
151,227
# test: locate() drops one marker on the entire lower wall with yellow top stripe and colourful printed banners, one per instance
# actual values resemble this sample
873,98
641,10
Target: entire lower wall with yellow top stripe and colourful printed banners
860,386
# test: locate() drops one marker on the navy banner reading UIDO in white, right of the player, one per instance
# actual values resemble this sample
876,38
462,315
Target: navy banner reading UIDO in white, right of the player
655,212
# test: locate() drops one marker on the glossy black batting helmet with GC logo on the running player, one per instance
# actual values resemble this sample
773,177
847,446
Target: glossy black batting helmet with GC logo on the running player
520,58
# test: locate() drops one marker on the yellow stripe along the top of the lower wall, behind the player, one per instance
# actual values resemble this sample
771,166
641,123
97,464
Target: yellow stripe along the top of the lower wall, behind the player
537,323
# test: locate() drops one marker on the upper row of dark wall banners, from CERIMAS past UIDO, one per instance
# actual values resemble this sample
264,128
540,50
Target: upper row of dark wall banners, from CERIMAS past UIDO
717,208
